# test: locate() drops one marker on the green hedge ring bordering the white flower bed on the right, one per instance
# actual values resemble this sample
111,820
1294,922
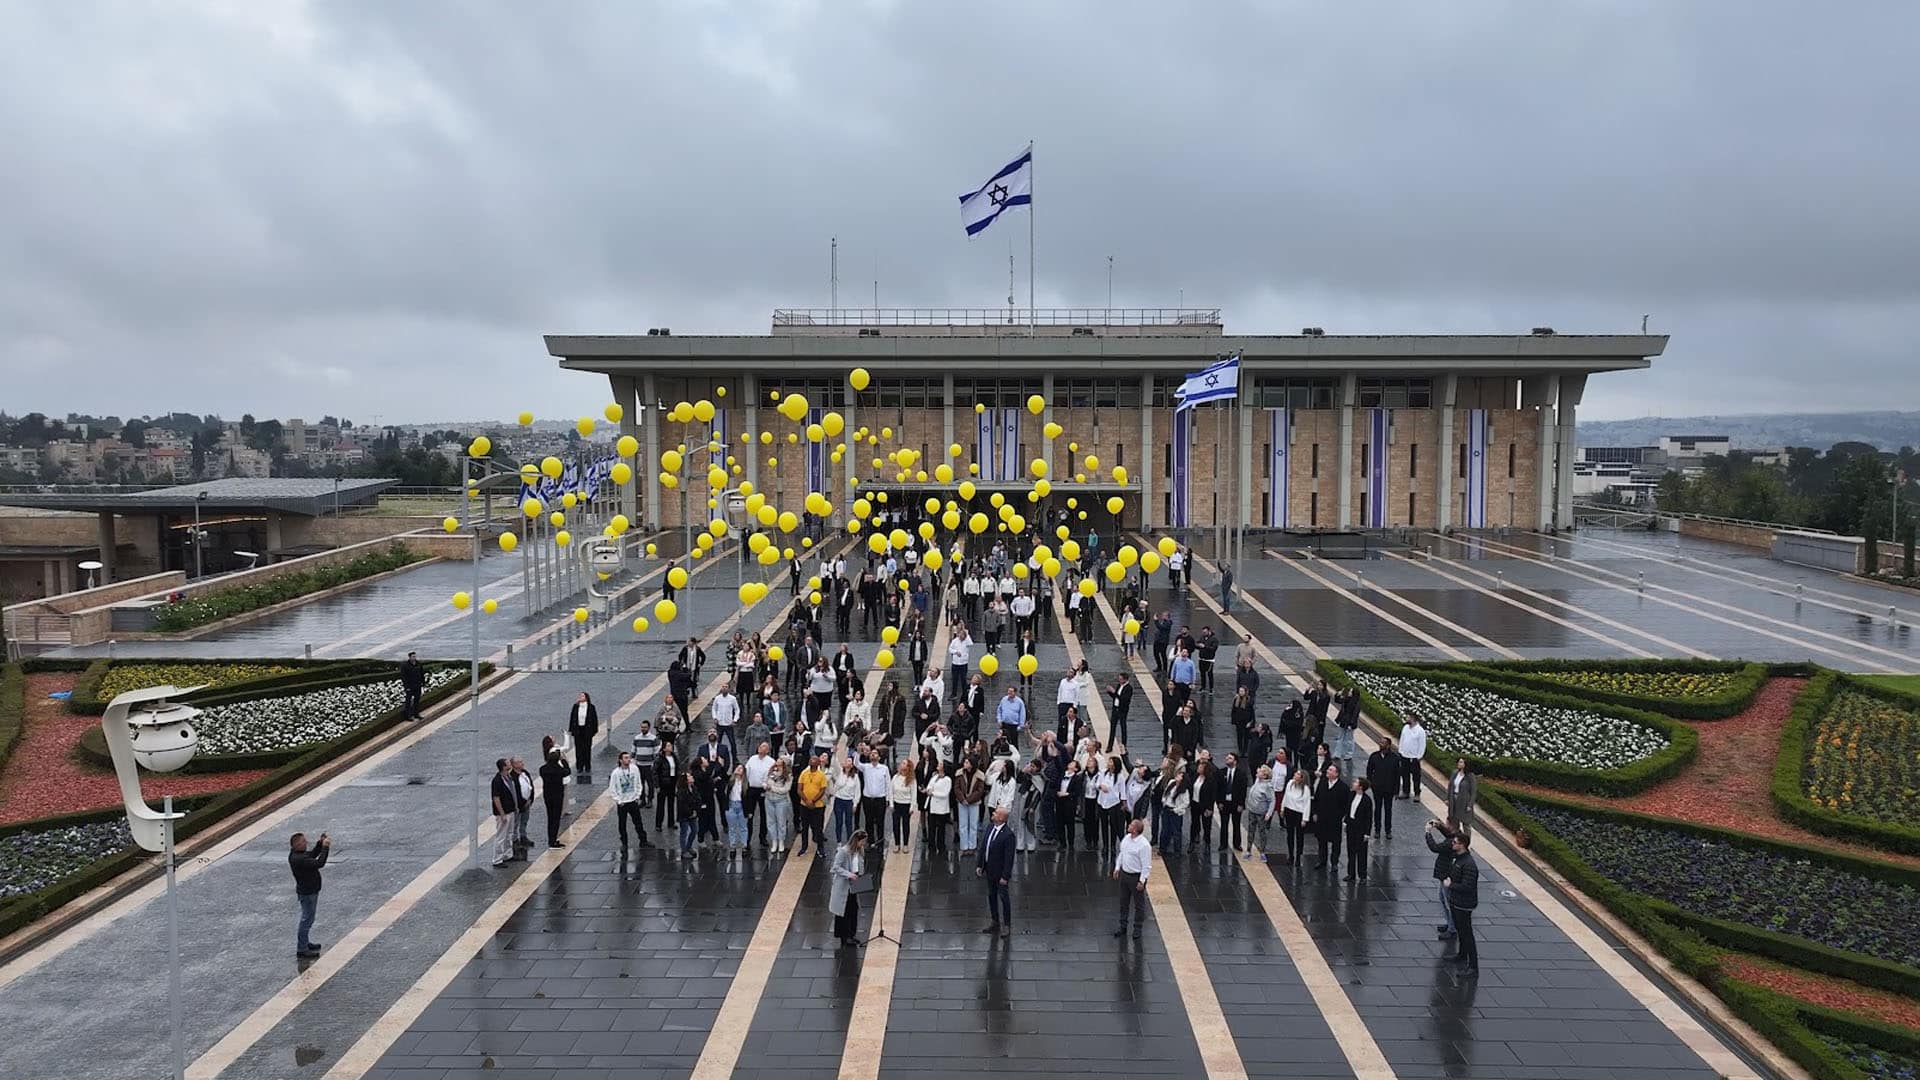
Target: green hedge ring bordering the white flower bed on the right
1635,777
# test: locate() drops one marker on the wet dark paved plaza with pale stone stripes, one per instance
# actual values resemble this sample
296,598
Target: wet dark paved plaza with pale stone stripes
588,962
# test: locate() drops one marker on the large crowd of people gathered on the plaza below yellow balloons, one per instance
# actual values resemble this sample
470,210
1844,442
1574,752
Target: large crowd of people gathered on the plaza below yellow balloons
794,758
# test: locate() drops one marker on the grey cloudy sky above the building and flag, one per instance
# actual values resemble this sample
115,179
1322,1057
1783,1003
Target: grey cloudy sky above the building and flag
375,210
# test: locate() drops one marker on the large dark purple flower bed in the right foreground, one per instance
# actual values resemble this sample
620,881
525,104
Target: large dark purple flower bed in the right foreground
1767,887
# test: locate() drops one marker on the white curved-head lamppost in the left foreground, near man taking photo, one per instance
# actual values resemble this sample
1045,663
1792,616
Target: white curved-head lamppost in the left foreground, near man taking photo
143,727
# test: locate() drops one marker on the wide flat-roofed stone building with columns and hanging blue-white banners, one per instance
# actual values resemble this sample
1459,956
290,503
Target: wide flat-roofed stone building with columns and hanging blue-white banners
1330,431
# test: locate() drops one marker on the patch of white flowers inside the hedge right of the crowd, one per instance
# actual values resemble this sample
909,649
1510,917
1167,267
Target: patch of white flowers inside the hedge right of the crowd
1481,724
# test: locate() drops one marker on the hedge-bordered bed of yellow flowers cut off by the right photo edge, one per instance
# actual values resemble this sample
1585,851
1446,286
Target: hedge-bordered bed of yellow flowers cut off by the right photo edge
1848,766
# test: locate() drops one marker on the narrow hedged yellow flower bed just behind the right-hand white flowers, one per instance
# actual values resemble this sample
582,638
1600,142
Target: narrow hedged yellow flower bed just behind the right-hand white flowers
1689,691
